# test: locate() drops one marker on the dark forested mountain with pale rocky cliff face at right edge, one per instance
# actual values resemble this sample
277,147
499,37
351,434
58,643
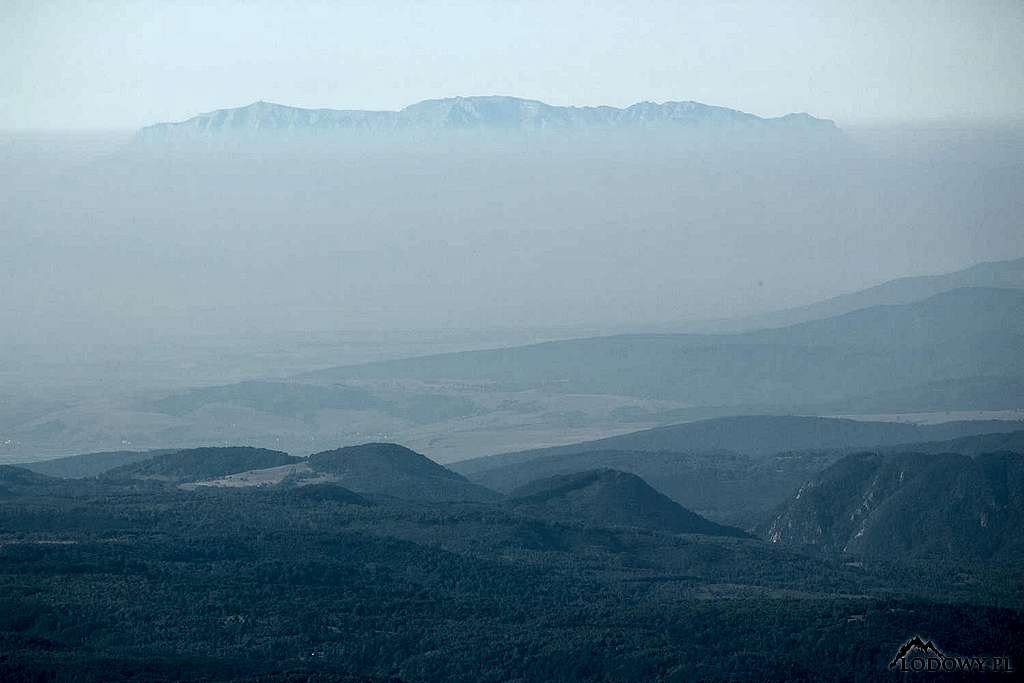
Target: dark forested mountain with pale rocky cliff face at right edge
909,505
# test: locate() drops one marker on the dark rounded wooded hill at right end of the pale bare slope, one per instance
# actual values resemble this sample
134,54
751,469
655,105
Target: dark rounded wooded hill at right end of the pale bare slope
390,469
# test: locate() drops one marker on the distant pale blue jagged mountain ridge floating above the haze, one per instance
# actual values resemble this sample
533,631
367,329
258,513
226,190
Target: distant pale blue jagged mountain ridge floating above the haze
495,113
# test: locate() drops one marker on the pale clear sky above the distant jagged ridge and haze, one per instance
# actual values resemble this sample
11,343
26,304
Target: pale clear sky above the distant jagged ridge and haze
78,65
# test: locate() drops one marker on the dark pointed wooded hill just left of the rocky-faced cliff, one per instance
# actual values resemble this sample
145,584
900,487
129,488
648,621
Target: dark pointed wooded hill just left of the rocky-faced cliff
611,498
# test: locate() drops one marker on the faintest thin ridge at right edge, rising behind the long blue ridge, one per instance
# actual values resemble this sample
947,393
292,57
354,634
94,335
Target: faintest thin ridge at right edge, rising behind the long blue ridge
998,275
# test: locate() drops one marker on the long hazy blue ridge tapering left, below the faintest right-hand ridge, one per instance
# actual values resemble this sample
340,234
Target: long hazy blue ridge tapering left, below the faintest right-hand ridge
958,335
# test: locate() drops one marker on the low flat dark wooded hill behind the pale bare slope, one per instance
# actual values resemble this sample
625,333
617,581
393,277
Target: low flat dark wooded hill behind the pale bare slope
198,464
